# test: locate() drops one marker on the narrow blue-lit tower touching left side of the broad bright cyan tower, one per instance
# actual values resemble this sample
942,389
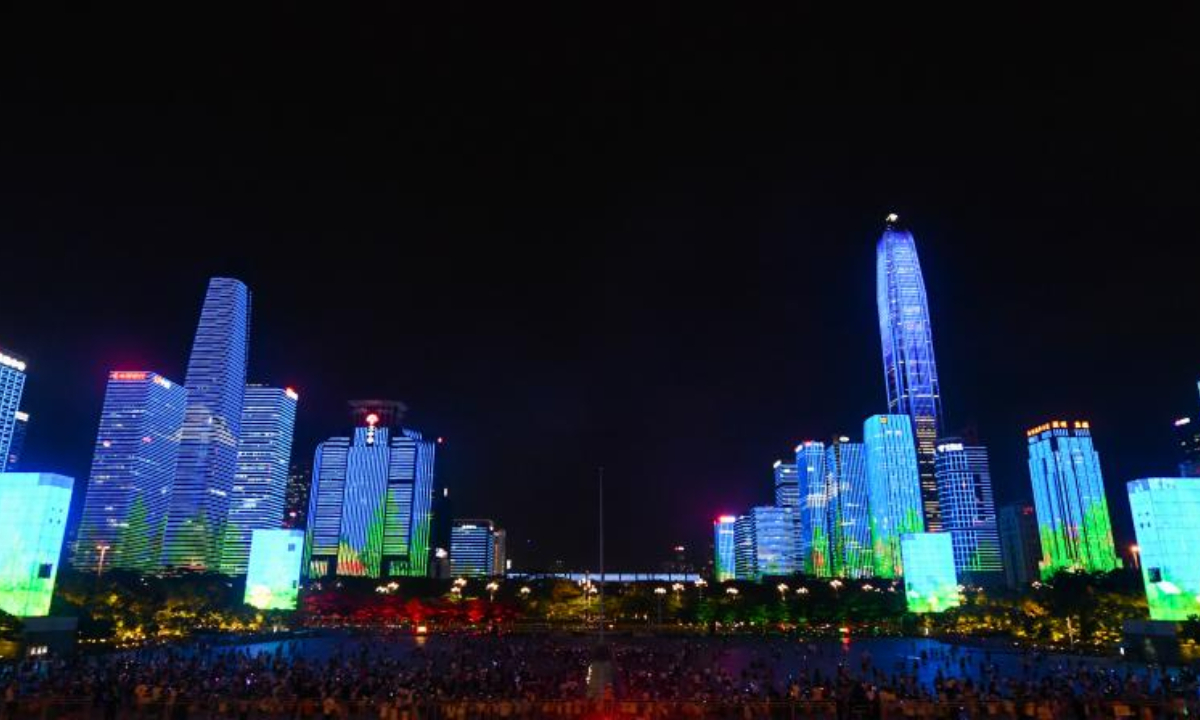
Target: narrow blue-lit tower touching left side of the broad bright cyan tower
849,521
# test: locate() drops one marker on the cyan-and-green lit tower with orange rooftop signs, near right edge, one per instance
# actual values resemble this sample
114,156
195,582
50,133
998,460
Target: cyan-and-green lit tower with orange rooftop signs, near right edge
1069,494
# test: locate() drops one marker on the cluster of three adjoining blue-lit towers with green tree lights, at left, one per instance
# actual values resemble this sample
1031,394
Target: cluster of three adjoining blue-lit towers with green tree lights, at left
182,476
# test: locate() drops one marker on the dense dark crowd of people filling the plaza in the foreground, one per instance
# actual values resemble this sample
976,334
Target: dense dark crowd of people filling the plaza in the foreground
533,676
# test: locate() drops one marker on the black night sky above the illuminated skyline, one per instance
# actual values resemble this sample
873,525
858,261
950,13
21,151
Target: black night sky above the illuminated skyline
646,242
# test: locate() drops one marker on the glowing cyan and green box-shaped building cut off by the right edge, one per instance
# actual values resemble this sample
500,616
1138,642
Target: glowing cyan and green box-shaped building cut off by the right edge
1165,519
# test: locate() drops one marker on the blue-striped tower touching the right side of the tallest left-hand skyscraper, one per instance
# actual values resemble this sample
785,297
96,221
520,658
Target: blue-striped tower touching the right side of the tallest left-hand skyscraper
260,488
